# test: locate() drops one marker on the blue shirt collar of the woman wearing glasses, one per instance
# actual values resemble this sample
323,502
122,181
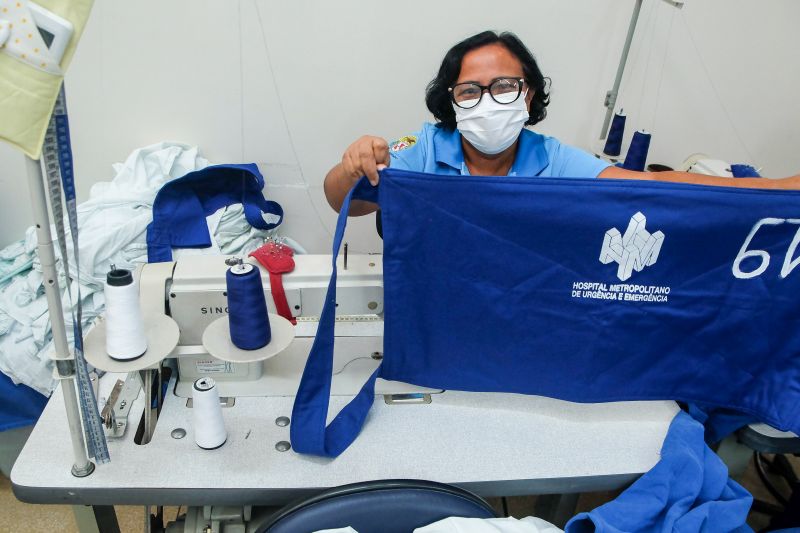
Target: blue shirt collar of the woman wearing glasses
530,160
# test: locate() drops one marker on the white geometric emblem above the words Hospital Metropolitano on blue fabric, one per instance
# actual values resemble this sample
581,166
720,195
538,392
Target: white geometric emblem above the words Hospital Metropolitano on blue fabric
636,249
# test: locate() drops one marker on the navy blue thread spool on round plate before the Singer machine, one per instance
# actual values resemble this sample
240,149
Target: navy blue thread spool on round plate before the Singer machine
248,322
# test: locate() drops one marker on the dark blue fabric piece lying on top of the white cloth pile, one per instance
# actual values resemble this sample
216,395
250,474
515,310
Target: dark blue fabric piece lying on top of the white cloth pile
182,205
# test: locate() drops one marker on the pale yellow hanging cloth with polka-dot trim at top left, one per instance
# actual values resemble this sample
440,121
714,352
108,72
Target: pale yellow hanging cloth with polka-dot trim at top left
29,79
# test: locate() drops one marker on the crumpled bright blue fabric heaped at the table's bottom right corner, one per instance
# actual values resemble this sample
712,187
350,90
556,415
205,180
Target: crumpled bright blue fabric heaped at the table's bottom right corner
687,491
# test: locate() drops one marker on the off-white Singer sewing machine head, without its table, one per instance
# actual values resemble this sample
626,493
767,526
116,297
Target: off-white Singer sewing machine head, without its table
195,296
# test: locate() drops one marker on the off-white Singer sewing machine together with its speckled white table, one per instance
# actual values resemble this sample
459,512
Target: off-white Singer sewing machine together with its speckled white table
492,444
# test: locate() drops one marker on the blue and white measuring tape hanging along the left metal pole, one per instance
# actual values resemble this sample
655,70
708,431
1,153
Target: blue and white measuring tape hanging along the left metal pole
57,157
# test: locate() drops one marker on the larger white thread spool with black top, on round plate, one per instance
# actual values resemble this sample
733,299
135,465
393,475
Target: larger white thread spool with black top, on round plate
125,337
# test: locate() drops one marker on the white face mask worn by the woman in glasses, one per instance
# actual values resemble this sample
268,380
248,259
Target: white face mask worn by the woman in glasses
491,127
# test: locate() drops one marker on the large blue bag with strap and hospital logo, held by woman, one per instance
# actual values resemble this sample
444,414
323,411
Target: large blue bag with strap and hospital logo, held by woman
579,289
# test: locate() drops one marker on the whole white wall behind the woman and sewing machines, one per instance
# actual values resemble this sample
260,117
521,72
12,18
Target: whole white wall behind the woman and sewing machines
290,84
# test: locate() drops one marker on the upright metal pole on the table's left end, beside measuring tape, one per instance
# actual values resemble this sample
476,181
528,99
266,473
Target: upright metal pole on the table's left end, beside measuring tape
65,363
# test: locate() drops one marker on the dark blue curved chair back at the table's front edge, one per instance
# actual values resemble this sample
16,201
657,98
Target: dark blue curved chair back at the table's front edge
388,506
